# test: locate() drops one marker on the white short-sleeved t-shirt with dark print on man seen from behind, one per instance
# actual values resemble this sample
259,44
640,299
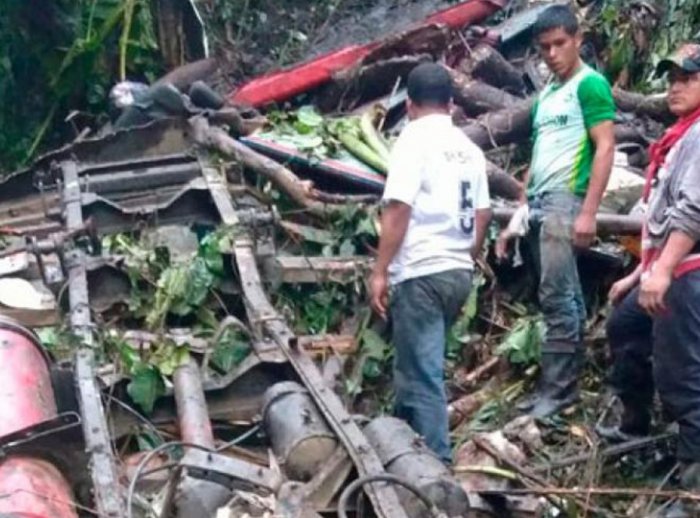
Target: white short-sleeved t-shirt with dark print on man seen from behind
441,174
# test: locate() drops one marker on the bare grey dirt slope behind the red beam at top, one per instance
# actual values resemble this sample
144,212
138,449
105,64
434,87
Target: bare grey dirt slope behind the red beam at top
255,37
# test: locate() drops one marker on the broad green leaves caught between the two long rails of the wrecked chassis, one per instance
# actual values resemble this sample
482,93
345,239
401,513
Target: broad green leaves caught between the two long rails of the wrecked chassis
163,289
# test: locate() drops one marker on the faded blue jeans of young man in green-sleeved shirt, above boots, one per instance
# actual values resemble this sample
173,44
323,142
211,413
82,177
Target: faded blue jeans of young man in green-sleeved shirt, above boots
552,217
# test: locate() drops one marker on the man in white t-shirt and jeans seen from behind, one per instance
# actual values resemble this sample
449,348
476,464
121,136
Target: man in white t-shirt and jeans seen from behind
436,210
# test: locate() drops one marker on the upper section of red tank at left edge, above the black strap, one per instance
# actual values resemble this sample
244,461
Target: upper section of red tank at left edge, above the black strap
26,394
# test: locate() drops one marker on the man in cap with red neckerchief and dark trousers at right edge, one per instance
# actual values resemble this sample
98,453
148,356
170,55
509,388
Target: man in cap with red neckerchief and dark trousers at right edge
657,307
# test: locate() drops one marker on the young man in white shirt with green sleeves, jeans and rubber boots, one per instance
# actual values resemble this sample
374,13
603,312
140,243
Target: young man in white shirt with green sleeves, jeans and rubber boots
571,162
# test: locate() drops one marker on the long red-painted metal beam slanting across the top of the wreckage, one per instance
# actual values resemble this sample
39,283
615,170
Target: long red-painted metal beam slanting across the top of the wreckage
282,85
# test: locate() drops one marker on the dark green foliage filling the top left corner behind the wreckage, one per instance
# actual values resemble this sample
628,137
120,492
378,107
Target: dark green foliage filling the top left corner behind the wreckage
60,55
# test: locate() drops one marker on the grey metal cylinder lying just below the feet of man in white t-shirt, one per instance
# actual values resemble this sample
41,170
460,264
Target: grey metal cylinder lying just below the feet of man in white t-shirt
403,453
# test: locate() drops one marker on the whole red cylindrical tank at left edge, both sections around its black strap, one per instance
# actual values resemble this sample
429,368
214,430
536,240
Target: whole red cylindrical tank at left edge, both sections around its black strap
32,486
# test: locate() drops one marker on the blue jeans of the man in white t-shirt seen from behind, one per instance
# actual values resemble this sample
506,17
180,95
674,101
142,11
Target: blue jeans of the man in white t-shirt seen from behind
422,311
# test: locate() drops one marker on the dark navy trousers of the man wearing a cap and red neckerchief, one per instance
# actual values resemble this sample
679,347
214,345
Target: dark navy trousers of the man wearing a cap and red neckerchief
662,351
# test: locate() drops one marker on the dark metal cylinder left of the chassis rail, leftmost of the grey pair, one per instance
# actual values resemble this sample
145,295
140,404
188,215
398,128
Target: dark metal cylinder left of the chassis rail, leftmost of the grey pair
300,437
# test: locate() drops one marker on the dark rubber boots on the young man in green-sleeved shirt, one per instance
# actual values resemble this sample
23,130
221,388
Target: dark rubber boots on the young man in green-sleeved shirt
559,383
